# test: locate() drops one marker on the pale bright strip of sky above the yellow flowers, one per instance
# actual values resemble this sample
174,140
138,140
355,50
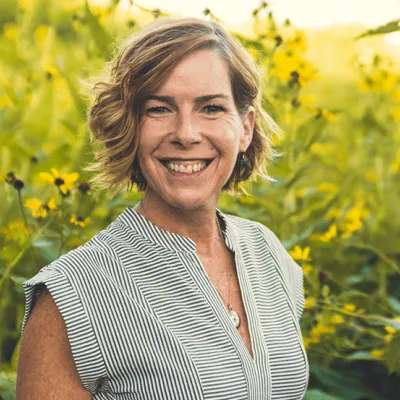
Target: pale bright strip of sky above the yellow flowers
303,13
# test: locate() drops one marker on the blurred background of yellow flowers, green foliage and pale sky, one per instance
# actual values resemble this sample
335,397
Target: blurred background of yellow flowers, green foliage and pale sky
331,80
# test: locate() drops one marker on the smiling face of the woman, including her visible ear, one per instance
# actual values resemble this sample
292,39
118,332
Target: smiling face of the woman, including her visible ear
191,120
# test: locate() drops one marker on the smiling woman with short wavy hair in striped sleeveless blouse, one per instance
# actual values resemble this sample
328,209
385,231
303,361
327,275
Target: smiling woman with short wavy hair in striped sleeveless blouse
174,299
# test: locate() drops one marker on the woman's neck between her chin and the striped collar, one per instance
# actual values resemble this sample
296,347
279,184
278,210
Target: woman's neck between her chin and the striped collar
200,224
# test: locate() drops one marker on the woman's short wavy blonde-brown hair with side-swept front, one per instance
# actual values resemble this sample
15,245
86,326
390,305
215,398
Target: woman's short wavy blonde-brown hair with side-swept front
141,65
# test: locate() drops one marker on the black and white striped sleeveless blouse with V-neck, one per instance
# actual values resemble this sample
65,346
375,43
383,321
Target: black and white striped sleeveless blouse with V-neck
145,322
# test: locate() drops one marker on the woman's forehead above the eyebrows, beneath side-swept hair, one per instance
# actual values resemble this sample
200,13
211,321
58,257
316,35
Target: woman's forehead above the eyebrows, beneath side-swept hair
200,73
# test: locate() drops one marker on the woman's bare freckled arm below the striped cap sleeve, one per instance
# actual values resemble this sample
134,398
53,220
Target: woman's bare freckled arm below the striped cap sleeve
46,369
